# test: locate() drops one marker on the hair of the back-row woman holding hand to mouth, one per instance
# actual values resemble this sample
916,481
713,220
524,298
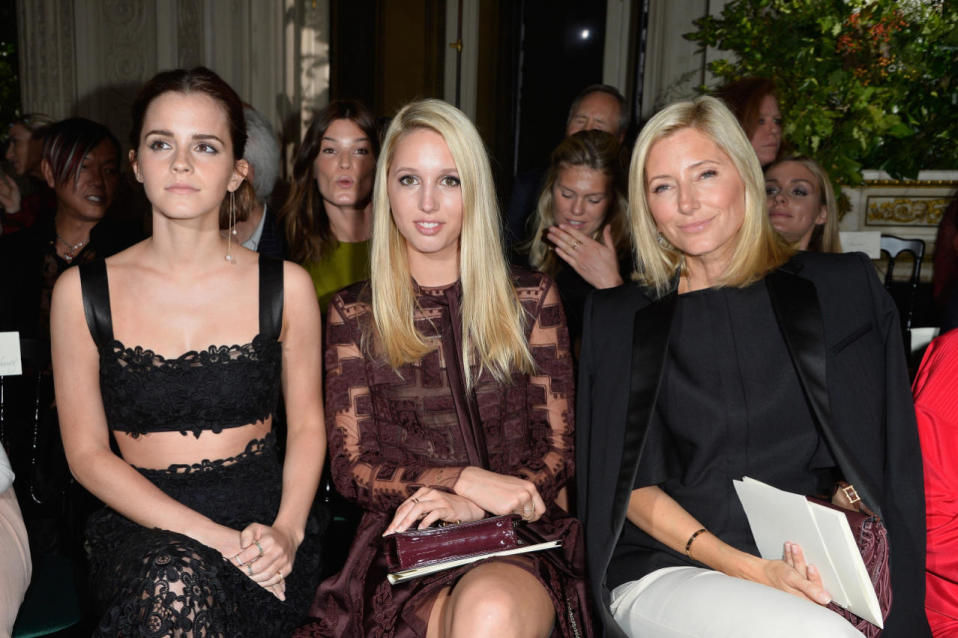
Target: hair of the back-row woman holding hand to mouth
596,150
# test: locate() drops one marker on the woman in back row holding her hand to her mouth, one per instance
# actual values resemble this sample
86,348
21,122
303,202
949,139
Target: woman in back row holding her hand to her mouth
581,235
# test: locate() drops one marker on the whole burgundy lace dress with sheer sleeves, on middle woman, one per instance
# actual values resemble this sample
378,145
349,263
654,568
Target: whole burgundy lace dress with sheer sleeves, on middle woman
392,432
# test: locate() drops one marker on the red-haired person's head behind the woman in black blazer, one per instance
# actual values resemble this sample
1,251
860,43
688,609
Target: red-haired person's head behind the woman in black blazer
754,102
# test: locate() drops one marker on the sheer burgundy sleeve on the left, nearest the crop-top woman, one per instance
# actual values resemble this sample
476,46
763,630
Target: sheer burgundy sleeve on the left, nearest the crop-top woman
361,466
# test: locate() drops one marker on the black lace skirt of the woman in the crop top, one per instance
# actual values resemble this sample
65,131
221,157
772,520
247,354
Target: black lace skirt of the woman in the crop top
153,582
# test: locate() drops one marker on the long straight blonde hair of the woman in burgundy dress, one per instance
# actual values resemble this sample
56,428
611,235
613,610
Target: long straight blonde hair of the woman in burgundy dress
493,320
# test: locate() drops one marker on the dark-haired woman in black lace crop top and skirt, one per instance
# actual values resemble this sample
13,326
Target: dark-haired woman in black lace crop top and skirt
204,533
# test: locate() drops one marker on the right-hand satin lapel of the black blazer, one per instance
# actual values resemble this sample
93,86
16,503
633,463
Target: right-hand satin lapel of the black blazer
795,303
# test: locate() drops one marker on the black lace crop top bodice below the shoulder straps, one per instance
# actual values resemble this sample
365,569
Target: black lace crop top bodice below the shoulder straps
220,387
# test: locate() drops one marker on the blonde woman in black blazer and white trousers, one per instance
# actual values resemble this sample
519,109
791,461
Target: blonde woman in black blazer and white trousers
734,357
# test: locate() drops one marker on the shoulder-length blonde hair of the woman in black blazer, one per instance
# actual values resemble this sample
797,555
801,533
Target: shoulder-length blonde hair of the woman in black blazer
758,248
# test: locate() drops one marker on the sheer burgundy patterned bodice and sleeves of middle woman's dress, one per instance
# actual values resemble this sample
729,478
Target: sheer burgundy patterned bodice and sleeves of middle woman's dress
391,432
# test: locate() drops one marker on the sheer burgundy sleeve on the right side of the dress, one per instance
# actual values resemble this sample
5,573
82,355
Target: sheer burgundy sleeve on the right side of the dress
550,395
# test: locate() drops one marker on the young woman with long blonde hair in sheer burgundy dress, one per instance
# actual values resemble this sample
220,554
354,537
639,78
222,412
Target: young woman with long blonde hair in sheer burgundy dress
449,393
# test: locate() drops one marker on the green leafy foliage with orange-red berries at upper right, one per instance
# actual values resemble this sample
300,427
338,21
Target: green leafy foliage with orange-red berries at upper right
862,83
